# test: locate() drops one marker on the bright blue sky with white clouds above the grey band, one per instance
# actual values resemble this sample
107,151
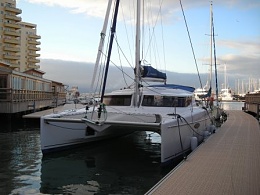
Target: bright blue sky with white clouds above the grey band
70,31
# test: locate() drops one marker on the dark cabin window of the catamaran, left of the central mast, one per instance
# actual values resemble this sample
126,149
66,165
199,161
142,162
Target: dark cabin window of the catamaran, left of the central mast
117,100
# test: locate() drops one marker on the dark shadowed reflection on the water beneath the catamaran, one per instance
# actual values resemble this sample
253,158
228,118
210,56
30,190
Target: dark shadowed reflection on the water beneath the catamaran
127,166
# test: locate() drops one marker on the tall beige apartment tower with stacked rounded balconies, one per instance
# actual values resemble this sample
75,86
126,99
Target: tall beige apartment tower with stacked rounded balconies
19,42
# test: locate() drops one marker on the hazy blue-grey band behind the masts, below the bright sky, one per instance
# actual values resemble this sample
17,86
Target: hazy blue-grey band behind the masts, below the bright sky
79,74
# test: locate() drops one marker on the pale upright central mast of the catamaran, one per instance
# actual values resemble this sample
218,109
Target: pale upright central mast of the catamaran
137,55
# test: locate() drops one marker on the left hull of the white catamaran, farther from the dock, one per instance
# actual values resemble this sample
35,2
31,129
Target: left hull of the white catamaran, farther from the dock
62,133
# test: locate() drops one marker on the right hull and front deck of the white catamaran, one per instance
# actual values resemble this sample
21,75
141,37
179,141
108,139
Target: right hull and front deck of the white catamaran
175,138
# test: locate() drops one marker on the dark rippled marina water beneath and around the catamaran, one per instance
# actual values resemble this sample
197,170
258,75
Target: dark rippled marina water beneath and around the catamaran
126,165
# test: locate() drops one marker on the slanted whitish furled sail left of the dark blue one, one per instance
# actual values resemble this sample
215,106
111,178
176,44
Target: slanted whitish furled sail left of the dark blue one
101,43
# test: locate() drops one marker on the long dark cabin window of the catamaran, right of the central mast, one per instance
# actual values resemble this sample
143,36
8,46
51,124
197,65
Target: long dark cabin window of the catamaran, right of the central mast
166,101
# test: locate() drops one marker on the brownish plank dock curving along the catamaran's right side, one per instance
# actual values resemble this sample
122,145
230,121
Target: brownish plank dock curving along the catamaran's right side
227,163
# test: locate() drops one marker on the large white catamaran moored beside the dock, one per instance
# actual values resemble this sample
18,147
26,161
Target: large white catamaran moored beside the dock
167,109
